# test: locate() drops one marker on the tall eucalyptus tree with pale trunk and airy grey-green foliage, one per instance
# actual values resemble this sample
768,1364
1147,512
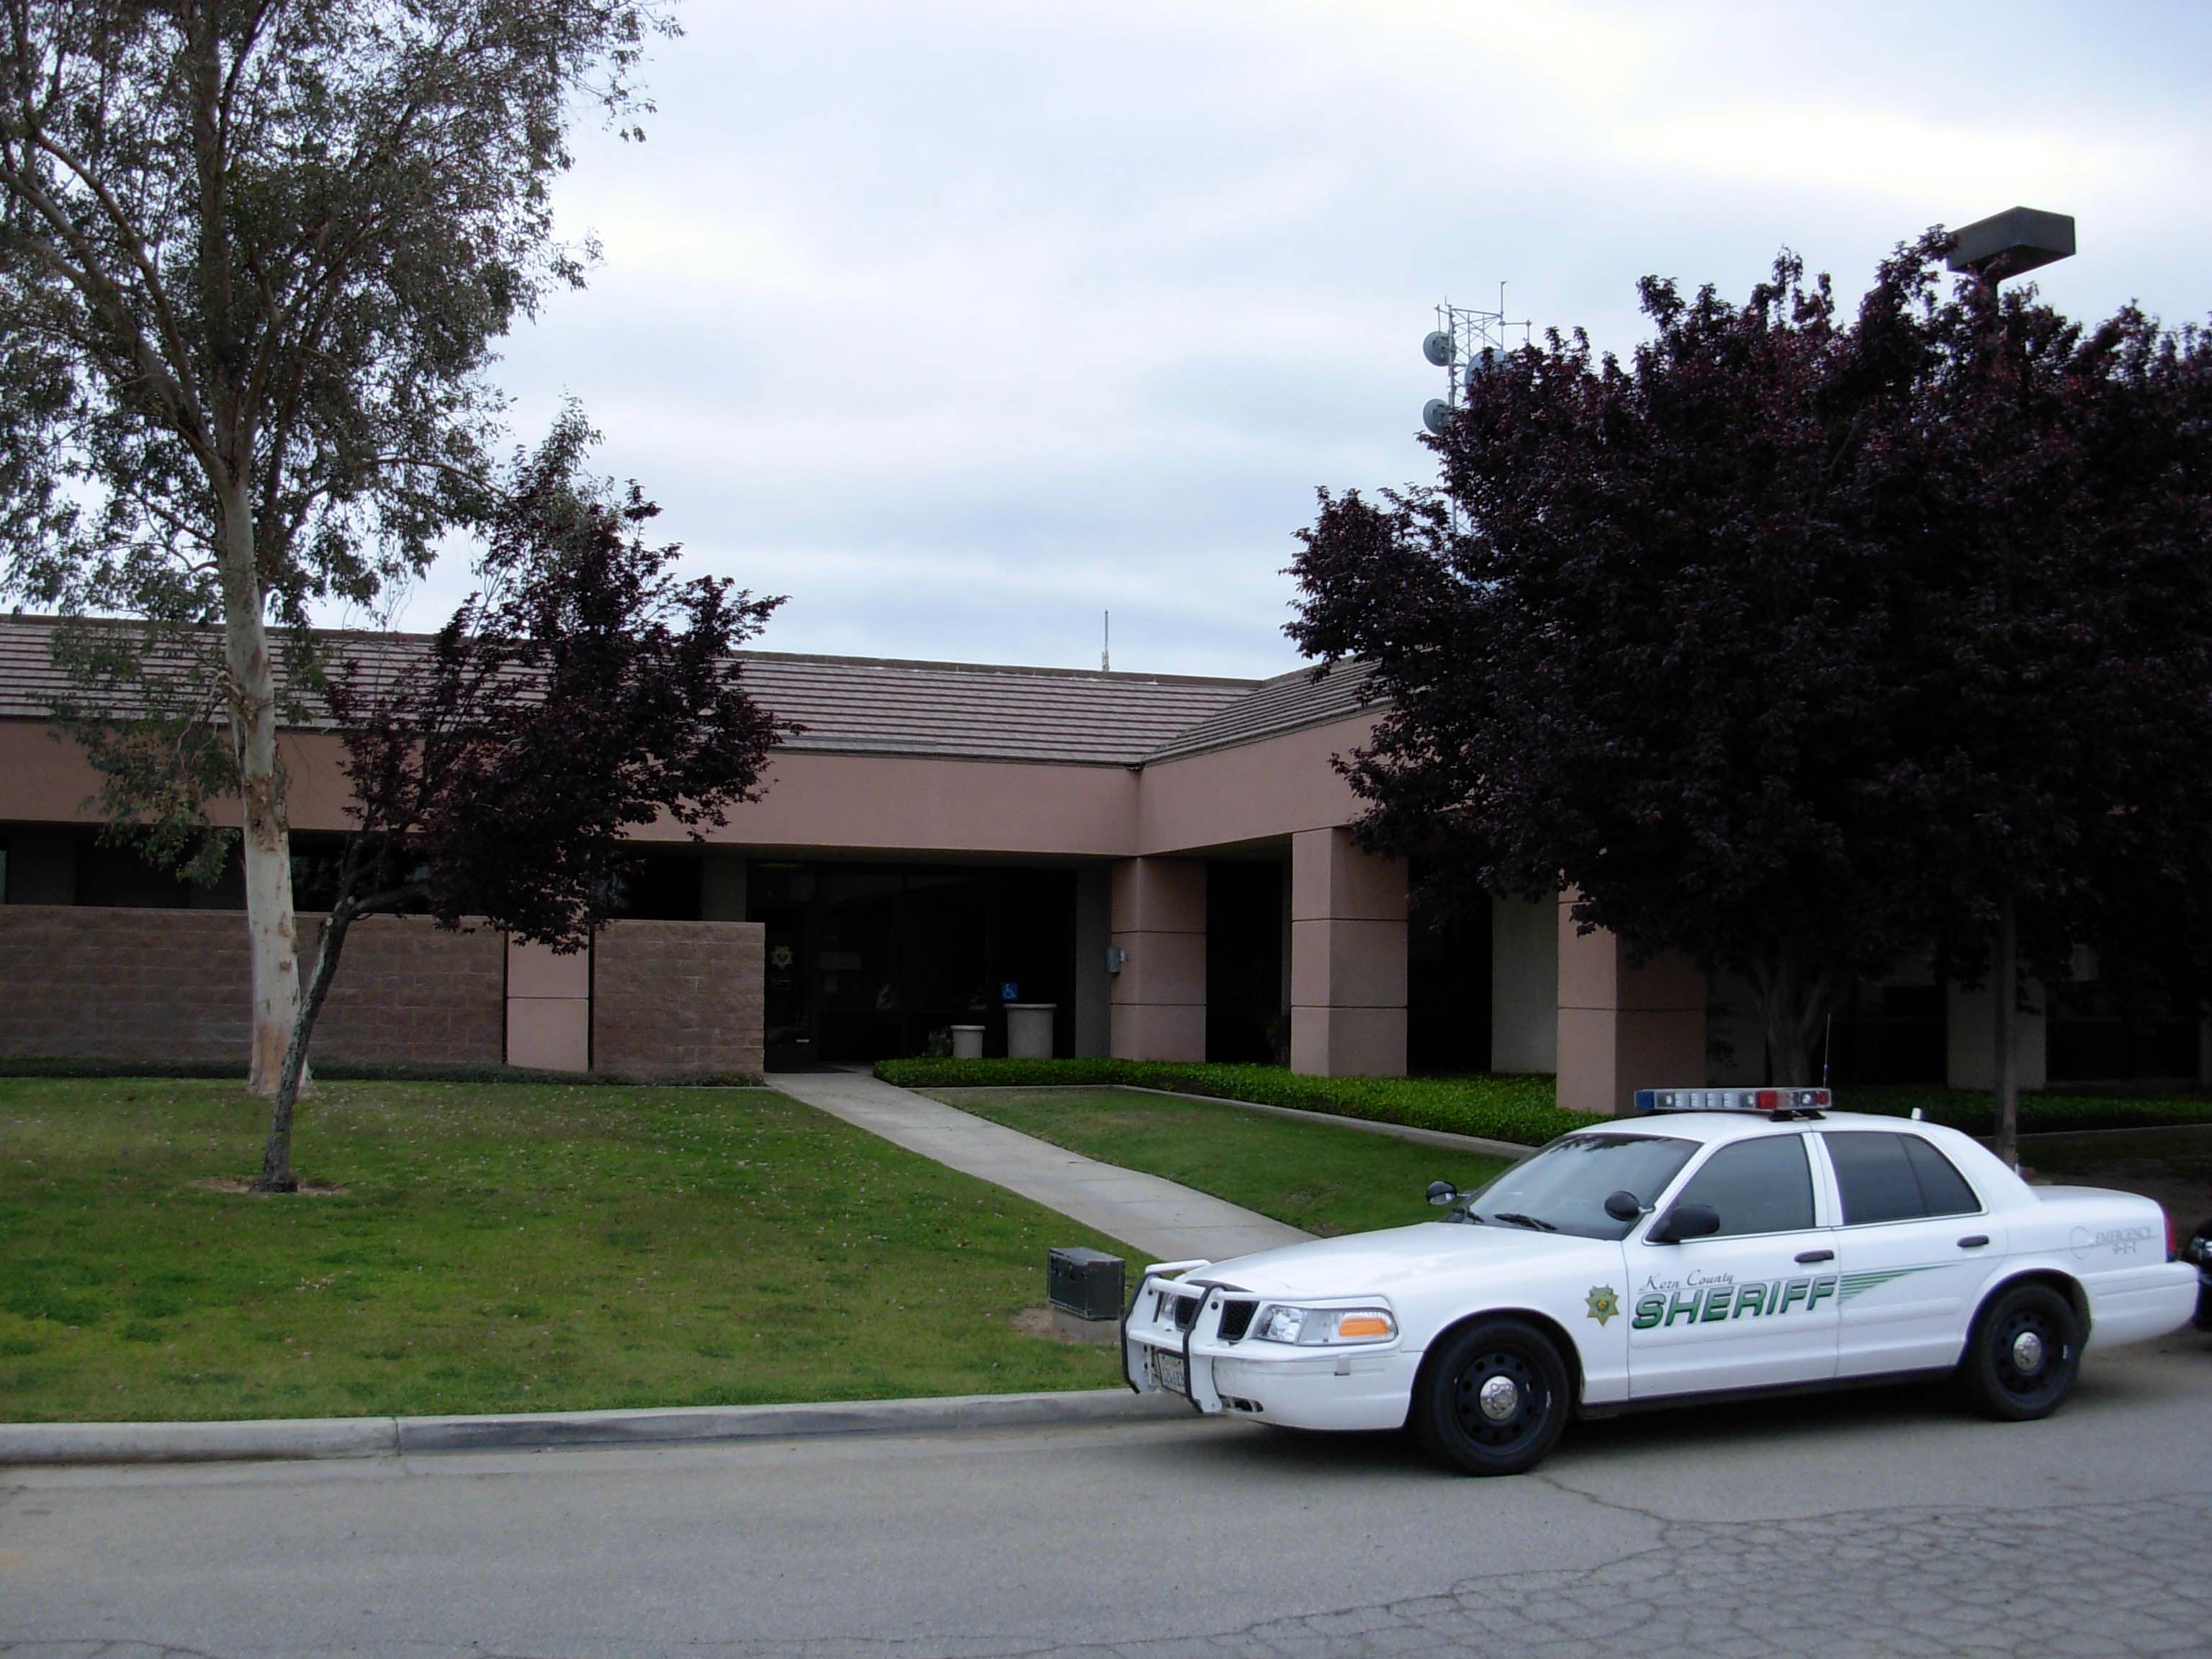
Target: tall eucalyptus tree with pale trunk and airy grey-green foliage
253,264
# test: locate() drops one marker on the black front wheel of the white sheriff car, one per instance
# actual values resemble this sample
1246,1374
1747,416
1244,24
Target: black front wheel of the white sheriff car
1494,1399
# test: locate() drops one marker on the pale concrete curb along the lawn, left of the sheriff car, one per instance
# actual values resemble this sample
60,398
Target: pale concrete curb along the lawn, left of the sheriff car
291,1439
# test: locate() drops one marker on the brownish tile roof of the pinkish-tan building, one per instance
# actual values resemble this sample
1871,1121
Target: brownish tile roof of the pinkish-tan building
873,707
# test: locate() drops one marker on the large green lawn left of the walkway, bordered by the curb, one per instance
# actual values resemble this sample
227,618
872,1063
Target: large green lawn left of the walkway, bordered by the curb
494,1249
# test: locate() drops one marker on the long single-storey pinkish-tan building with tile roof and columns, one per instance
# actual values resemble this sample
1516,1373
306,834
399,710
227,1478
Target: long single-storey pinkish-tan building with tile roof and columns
1167,862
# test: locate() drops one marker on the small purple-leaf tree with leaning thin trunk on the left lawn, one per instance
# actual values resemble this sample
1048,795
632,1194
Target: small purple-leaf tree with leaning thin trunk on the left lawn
497,769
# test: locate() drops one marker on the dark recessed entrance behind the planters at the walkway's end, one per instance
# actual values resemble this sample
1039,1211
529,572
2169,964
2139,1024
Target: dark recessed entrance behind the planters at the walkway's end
868,961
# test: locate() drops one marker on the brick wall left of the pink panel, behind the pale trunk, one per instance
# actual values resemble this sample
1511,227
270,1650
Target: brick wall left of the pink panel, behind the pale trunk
171,985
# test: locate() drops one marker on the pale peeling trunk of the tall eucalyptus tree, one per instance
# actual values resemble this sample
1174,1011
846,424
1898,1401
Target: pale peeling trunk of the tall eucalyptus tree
269,839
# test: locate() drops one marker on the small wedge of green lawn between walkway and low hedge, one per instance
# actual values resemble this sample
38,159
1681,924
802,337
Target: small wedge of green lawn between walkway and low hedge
1313,1176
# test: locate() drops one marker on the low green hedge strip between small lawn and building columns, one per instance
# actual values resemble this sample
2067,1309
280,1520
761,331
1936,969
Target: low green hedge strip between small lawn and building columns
1503,1109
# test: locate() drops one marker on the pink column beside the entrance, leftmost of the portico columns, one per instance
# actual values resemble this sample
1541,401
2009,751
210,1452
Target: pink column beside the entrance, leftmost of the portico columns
1158,1001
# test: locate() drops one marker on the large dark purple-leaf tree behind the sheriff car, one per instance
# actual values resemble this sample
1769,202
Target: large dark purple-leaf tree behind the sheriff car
1795,640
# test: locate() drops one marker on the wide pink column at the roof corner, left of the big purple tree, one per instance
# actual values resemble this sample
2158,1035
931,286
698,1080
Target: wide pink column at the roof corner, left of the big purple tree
1346,959
